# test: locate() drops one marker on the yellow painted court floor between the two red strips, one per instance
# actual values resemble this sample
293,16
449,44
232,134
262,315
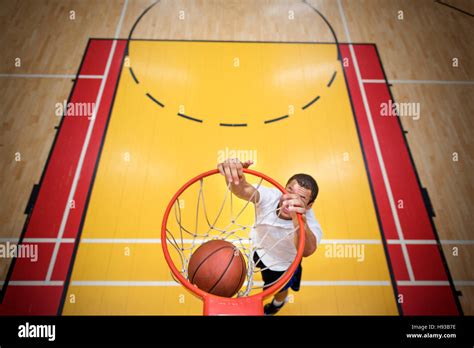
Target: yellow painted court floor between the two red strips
179,107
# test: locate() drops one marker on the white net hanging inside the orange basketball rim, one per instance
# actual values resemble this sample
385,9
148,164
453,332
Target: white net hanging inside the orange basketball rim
208,210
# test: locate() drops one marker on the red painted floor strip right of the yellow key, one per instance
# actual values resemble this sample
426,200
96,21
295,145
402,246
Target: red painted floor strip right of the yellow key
426,260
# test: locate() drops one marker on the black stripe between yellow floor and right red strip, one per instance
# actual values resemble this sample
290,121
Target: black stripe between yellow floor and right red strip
374,201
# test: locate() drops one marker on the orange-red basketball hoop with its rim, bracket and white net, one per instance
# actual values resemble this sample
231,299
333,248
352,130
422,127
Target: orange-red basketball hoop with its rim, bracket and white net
248,301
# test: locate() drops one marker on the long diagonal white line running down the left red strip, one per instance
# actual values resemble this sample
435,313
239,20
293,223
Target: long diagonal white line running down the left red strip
85,145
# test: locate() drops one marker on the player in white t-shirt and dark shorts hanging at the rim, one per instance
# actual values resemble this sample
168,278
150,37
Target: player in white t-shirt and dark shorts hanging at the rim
276,215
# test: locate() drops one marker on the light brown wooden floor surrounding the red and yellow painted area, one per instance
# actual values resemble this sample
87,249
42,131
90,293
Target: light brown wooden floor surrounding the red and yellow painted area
420,47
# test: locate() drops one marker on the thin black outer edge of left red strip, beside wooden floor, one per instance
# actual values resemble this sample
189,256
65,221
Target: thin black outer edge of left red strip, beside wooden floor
40,184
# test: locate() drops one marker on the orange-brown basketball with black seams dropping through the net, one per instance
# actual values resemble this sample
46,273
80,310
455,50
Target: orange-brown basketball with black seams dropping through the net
217,267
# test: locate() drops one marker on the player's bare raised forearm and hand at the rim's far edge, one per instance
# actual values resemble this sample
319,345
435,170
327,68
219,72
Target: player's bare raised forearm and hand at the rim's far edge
232,170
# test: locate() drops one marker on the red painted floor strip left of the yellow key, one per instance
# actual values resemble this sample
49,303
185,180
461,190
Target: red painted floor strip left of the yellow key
28,292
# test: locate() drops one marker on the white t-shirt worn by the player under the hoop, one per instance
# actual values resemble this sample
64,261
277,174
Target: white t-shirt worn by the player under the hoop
272,236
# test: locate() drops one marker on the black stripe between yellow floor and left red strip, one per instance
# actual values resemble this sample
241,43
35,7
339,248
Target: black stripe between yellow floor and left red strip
89,194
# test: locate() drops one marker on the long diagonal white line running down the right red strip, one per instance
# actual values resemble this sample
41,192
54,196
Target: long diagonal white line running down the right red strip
377,147
